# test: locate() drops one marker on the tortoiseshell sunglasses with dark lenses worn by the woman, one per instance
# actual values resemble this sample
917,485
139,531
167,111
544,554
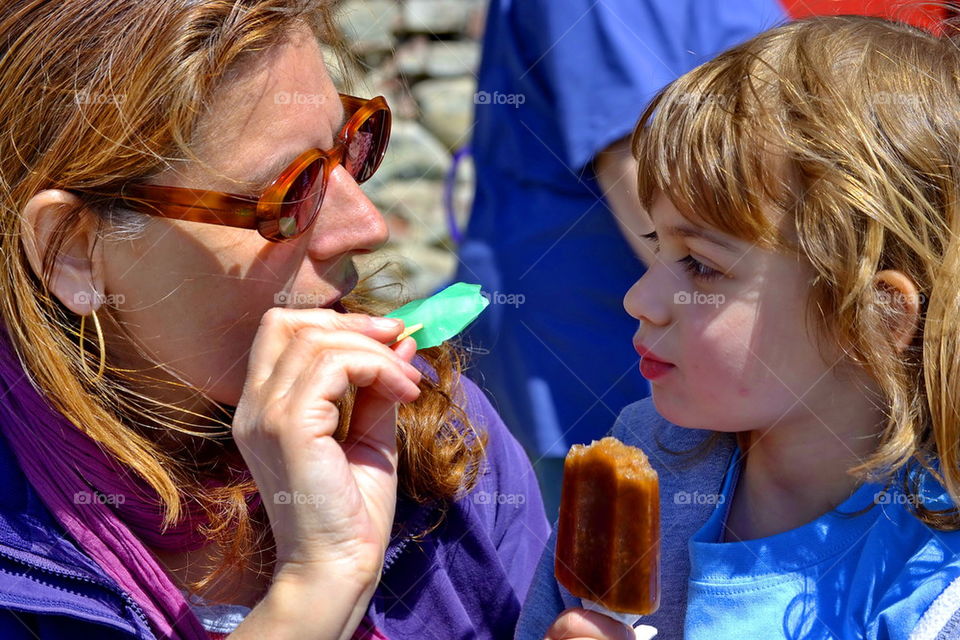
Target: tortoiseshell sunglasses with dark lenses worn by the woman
290,204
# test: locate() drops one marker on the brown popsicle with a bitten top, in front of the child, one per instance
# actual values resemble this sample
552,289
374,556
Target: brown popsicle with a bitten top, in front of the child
608,535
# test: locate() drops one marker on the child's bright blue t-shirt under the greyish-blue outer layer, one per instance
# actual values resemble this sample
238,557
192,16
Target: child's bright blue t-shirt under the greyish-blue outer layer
879,575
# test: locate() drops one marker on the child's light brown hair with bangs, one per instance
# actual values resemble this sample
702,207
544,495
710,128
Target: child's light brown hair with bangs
848,127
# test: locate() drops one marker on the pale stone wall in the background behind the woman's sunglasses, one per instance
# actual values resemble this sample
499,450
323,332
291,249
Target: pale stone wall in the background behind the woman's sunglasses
422,55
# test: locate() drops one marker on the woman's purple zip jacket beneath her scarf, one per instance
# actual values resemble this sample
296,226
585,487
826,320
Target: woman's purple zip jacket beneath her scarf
465,579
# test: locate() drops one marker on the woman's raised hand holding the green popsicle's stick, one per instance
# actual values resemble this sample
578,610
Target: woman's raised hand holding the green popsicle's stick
330,504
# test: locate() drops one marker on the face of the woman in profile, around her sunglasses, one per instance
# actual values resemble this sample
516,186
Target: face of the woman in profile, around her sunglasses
192,294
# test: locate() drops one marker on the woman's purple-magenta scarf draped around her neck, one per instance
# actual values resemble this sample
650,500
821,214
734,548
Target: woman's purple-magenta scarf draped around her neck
109,511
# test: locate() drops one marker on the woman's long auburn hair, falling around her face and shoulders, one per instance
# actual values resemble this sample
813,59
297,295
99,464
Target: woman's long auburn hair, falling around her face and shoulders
101,92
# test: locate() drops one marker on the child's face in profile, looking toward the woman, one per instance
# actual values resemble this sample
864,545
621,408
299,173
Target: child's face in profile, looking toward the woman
735,329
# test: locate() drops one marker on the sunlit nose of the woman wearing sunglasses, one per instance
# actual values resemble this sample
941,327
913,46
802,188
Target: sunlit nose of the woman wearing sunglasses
347,221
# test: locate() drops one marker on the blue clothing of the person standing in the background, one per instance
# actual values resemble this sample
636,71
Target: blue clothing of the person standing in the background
559,81
